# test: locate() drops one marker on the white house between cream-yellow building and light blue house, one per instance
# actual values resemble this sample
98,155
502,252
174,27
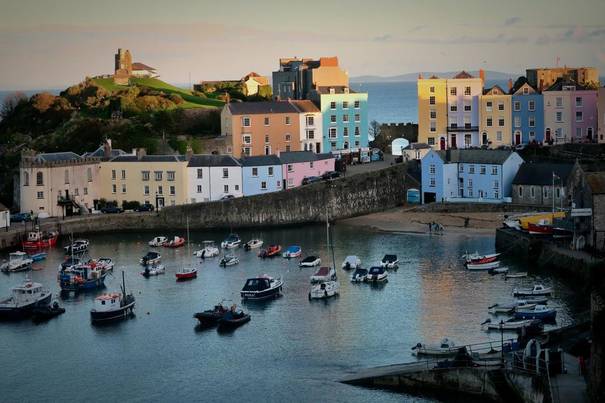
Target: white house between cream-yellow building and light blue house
211,177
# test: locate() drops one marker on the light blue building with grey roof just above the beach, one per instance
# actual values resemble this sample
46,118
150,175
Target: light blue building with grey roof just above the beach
468,175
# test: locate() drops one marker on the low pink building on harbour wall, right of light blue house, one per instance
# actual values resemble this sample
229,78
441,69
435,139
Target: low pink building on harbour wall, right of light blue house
297,165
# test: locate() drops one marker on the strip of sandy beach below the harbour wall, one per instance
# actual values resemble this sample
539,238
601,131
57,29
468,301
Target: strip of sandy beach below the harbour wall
408,220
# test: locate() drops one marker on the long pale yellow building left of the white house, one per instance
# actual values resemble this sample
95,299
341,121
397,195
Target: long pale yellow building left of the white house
159,180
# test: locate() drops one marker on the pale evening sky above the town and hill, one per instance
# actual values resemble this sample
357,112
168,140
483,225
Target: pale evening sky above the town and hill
53,44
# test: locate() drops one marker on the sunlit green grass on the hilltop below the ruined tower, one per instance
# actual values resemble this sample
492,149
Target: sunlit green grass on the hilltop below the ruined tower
191,101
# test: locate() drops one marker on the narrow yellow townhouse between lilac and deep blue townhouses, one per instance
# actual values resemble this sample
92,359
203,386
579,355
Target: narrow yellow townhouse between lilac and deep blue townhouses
495,127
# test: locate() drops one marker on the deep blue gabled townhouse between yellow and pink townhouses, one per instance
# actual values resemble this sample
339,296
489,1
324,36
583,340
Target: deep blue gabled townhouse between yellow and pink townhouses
527,115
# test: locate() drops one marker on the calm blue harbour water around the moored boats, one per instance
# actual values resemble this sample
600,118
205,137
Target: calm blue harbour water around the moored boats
292,350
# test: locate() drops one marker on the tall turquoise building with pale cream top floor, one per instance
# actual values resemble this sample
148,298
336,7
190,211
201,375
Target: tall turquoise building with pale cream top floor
345,119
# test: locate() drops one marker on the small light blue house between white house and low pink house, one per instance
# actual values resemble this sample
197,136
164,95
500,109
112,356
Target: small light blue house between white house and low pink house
261,174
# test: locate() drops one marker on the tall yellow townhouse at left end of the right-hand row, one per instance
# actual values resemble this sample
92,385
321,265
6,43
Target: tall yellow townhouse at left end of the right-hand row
432,110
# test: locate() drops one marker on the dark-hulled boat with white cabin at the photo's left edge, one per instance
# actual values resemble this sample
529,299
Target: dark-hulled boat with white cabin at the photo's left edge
24,298
